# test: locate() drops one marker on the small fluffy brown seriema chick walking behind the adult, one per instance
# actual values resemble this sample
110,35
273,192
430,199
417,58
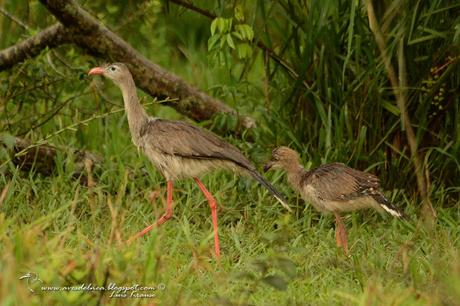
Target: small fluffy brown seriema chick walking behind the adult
332,188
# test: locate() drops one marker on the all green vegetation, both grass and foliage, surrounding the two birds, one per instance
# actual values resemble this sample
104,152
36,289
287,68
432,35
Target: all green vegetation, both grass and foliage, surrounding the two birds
312,75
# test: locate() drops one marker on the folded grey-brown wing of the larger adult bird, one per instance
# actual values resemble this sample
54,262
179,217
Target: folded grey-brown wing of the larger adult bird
188,141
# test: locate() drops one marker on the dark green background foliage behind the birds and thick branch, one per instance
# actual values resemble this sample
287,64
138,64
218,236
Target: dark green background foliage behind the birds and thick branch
338,107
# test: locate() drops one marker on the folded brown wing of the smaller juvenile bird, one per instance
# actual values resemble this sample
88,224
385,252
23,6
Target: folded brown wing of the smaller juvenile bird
337,182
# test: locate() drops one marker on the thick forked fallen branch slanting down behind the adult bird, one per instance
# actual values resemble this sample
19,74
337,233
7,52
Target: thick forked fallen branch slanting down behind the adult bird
79,27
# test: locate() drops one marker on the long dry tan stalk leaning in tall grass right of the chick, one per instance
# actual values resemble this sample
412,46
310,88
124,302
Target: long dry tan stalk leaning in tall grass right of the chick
399,92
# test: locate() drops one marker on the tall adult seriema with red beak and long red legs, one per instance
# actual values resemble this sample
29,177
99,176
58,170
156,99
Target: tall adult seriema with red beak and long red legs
178,149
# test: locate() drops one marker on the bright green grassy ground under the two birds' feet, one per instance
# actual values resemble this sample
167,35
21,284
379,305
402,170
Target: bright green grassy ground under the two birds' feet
71,235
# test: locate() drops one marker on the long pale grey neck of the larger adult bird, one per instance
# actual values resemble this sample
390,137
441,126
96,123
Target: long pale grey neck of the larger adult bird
137,116
